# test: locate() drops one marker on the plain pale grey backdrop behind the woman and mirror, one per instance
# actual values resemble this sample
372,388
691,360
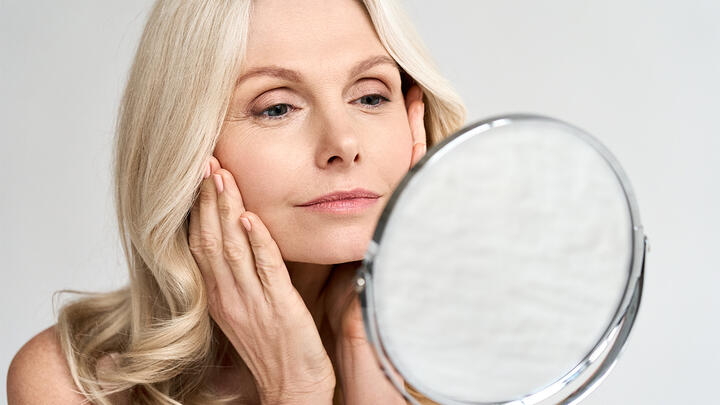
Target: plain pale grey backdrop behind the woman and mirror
641,76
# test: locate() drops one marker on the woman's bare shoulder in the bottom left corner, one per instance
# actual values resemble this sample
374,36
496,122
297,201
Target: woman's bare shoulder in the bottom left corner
39,373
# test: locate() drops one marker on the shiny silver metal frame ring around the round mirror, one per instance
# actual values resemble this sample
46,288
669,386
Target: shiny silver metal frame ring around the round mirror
583,378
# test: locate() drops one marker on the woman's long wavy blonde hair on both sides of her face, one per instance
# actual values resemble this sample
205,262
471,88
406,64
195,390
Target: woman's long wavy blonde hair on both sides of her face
163,341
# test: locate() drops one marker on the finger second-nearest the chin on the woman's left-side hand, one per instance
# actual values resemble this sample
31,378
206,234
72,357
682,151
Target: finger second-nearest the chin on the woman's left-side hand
236,246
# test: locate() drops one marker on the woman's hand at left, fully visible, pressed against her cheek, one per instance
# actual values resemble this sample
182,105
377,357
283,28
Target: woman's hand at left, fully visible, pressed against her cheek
251,298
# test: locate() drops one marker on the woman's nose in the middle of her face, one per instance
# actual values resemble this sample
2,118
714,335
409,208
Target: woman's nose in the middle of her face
339,143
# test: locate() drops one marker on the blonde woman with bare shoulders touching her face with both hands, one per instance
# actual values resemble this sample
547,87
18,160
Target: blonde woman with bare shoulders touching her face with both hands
238,115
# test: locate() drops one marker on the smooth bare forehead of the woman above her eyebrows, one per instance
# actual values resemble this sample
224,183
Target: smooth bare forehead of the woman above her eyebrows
310,34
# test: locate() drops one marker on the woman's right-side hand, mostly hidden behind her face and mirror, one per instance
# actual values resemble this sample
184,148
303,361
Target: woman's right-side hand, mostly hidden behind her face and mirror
362,379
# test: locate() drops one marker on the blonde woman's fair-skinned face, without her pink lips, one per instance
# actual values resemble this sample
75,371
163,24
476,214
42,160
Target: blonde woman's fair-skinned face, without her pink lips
317,109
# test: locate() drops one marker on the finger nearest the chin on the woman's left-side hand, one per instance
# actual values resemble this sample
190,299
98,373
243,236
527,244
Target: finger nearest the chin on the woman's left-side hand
268,260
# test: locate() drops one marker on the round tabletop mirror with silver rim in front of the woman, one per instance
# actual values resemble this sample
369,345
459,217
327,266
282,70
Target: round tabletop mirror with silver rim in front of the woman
506,268
